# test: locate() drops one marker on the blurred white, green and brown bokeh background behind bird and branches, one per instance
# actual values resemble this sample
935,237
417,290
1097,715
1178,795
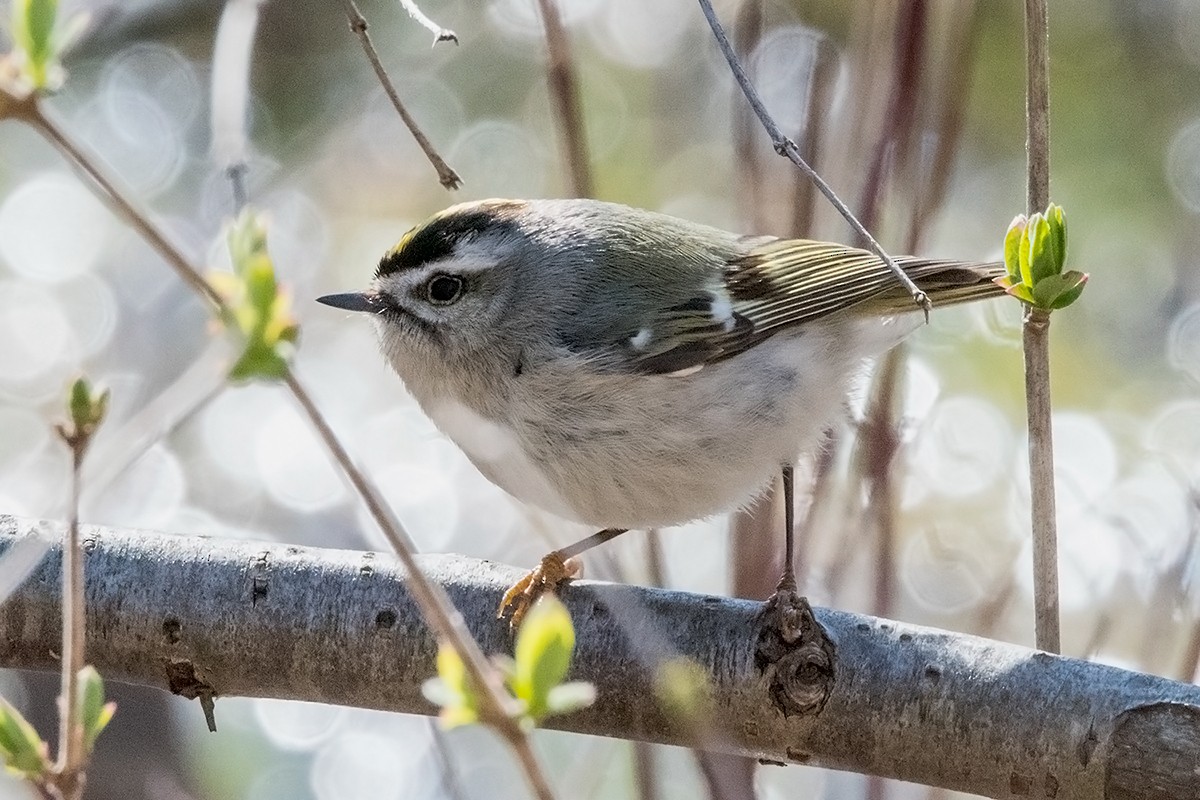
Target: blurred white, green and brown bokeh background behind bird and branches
914,111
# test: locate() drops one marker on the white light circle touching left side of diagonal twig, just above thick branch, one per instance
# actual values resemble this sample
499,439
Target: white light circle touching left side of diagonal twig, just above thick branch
295,467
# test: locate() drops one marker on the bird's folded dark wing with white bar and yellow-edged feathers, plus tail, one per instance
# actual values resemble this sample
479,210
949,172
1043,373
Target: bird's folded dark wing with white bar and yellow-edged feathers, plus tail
783,284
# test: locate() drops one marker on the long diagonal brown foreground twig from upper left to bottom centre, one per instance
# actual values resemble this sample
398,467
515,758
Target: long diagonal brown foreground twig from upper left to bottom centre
436,606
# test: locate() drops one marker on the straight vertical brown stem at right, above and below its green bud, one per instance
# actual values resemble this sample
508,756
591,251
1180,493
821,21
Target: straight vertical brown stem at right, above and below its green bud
1036,340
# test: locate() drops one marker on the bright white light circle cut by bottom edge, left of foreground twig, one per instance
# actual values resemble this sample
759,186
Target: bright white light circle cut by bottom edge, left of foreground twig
370,766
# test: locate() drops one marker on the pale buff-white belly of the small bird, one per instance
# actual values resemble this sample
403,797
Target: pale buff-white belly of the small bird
641,452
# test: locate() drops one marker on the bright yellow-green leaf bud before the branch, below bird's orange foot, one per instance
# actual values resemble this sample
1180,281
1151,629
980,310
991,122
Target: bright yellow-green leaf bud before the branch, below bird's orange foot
543,654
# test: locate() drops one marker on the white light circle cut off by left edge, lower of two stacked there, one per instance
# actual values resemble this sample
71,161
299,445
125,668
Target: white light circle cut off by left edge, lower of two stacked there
35,332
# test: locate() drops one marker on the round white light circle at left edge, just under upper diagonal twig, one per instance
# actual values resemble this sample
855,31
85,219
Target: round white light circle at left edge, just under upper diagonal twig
52,228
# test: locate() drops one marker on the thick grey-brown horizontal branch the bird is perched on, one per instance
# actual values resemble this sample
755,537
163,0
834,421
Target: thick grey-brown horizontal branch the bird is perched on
217,618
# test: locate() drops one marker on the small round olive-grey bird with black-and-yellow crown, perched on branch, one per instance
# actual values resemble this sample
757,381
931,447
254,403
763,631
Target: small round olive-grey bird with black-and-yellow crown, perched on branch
631,370
